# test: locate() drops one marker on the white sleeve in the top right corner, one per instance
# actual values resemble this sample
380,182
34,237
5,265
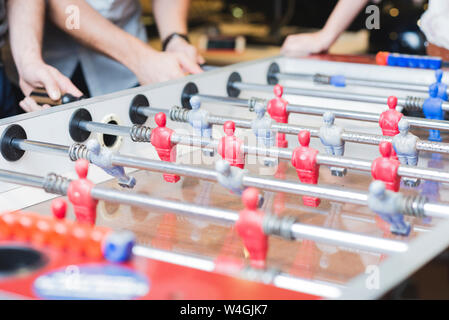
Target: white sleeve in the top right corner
435,23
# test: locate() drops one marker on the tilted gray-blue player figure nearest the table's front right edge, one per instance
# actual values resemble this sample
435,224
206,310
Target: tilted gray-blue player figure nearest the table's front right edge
387,205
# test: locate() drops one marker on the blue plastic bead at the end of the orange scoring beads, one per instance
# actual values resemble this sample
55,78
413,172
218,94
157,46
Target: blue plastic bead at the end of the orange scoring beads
118,246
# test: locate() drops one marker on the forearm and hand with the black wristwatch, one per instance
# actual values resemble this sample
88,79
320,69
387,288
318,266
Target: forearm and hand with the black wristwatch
171,16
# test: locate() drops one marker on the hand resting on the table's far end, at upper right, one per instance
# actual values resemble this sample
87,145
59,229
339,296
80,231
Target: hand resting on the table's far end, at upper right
306,43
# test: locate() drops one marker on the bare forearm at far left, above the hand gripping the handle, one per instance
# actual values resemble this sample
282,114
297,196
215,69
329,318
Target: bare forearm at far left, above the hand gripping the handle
26,21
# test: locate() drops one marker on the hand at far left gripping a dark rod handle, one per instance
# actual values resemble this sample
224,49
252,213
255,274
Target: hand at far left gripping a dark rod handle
37,75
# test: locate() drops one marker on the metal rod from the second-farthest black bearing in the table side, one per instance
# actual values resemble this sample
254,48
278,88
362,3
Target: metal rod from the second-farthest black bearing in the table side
331,95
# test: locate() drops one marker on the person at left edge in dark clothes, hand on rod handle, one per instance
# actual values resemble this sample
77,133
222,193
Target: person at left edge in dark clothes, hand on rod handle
25,21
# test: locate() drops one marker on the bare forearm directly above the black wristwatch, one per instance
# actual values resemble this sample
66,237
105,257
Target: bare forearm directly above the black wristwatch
171,16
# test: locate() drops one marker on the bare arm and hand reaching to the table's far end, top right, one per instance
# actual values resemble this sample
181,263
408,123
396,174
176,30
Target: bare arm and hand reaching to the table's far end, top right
340,19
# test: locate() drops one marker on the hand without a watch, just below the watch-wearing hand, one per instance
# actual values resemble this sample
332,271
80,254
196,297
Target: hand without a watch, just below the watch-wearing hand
154,66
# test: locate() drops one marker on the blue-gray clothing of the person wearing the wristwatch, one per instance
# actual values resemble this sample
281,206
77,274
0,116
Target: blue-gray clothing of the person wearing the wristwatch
103,75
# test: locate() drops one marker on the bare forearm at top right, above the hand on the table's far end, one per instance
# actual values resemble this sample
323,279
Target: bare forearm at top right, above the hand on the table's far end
344,13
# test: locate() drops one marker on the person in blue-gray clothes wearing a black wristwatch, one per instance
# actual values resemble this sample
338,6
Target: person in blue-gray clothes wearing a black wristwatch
106,40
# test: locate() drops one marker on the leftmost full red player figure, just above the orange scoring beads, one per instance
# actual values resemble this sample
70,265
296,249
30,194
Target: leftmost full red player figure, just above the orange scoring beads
84,205
